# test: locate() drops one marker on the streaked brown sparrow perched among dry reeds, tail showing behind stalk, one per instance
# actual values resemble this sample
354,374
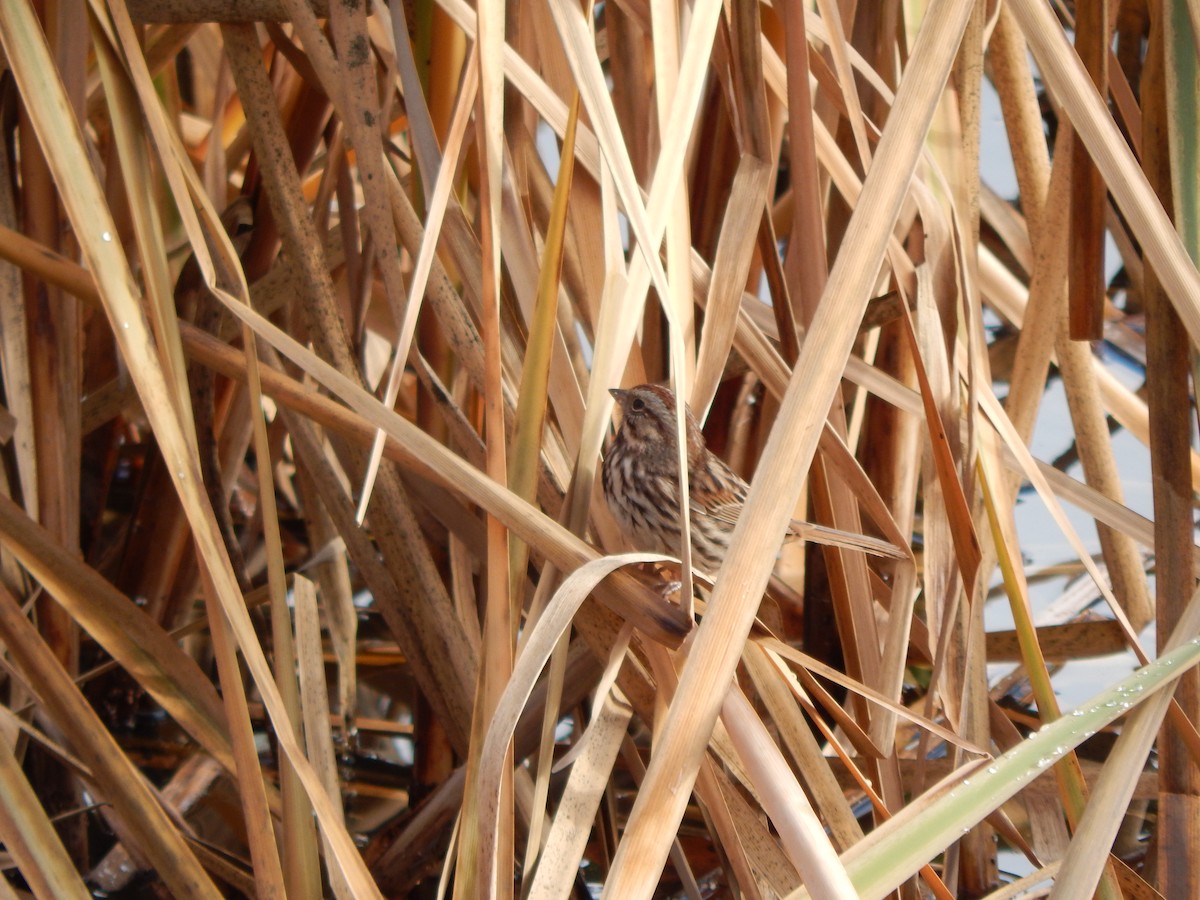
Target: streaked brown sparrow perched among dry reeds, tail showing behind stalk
641,485
